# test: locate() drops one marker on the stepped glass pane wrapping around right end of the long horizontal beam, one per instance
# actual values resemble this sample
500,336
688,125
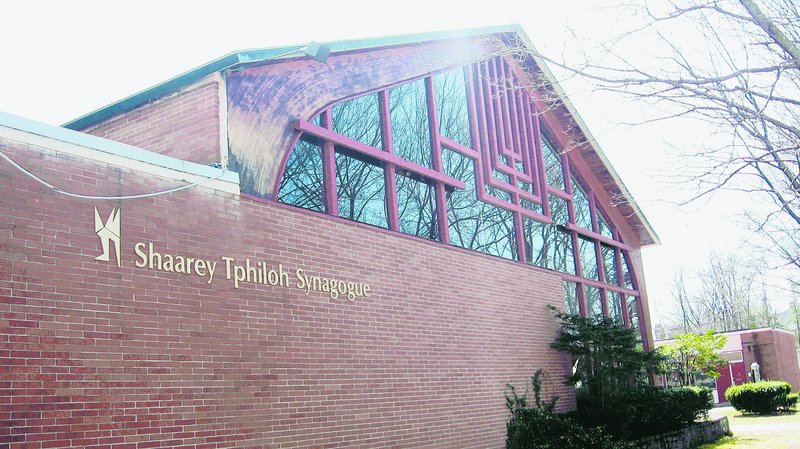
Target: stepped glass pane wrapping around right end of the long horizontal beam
474,224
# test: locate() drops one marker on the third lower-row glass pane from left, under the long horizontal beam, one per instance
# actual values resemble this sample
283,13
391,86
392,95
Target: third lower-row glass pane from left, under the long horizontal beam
416,208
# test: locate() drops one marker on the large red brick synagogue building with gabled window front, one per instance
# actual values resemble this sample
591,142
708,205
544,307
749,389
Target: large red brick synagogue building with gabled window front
341,246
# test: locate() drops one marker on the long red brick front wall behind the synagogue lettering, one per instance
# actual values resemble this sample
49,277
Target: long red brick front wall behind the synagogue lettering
98,356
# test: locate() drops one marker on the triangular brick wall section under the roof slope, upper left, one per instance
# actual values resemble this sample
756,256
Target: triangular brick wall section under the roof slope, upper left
184,125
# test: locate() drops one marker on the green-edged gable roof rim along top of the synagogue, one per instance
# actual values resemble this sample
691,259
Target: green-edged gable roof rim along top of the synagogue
594,156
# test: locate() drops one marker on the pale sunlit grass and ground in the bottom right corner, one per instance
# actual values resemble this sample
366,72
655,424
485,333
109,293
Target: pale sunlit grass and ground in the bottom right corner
758,432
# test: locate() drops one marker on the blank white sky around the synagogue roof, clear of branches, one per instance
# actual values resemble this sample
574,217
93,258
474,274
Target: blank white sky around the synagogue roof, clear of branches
61,60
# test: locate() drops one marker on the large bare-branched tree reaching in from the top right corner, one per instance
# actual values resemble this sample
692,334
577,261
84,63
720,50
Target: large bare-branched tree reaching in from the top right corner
733,64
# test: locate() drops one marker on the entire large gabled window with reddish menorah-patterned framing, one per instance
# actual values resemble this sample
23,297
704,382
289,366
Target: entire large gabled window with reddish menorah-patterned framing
485,220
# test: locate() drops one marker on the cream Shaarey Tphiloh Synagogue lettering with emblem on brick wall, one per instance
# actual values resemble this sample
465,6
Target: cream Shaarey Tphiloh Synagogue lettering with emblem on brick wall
235,270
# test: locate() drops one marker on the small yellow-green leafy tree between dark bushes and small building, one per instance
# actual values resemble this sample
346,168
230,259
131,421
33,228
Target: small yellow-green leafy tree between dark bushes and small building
692,354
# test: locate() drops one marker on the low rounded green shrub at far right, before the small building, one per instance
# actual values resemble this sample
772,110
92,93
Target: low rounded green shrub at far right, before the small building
761,397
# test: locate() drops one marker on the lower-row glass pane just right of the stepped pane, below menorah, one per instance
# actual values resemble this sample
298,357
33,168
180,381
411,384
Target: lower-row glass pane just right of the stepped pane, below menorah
548,246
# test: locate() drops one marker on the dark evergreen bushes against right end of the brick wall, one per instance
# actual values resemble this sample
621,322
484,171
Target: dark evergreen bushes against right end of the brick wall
615,401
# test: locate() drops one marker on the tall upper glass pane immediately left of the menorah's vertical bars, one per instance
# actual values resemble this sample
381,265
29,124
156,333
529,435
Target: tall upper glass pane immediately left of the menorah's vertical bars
451,106
